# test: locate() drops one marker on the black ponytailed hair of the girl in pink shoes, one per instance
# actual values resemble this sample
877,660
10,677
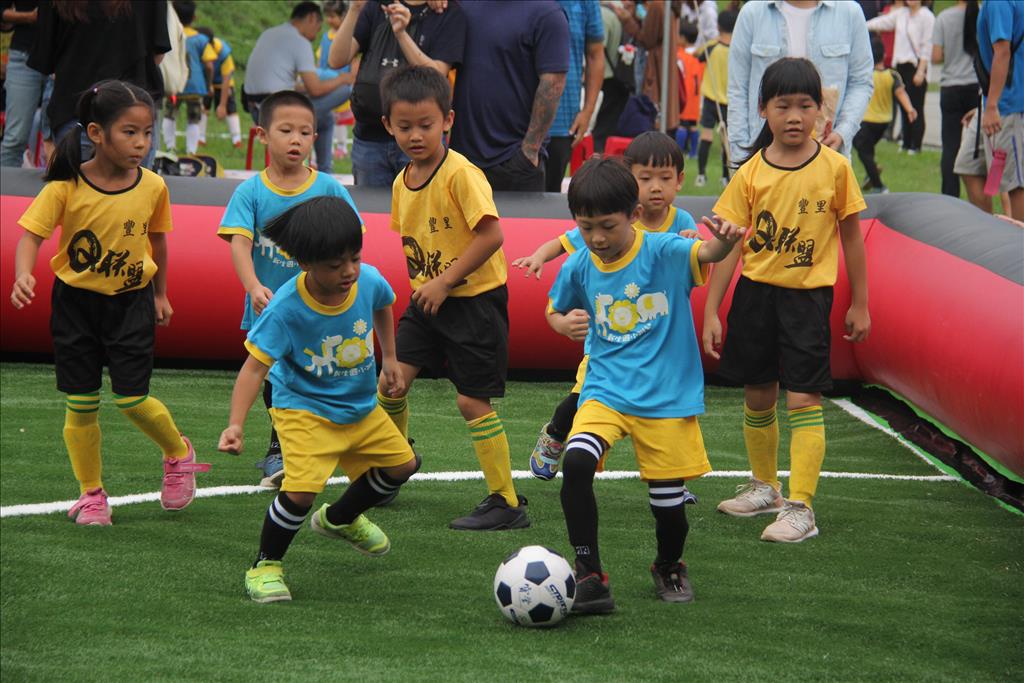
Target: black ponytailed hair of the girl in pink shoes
103,105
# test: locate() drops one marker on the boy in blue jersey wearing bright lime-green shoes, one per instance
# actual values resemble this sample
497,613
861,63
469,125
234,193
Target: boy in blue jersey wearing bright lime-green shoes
316,340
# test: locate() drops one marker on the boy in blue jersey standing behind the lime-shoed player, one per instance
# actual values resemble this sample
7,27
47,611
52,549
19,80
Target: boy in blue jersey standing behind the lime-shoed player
288,127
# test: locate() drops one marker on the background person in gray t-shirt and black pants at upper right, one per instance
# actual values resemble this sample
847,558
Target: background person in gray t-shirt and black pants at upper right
959,93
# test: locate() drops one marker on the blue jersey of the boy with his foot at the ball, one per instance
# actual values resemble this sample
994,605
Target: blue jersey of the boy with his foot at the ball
644,356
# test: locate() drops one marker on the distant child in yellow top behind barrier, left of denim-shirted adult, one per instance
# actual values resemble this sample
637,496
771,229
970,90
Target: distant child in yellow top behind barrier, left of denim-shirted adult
714,90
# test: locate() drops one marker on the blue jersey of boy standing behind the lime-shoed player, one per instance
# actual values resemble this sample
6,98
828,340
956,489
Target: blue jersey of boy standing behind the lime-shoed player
253,205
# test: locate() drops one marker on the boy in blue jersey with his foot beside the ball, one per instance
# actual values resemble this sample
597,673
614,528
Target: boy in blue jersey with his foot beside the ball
645,378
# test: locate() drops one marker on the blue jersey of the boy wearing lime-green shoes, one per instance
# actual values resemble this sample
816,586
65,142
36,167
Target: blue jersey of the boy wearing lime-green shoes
322,358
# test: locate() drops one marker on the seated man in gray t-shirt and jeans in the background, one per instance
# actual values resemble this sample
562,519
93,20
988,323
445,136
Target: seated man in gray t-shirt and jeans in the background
284,55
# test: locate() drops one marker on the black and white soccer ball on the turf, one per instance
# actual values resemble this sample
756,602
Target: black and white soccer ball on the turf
535,586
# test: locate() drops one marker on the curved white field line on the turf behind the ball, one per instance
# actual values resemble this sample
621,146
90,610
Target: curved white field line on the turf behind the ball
134,499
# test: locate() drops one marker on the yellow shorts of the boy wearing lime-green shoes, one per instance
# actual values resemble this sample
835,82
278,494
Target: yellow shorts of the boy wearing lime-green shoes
314,447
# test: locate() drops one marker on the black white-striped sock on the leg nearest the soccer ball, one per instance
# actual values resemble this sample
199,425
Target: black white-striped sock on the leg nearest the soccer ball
579,505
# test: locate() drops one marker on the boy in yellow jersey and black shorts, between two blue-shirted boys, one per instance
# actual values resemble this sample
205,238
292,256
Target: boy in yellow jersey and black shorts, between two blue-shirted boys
458,317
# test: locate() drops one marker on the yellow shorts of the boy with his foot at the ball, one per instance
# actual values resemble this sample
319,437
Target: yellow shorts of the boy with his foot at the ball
666,448
